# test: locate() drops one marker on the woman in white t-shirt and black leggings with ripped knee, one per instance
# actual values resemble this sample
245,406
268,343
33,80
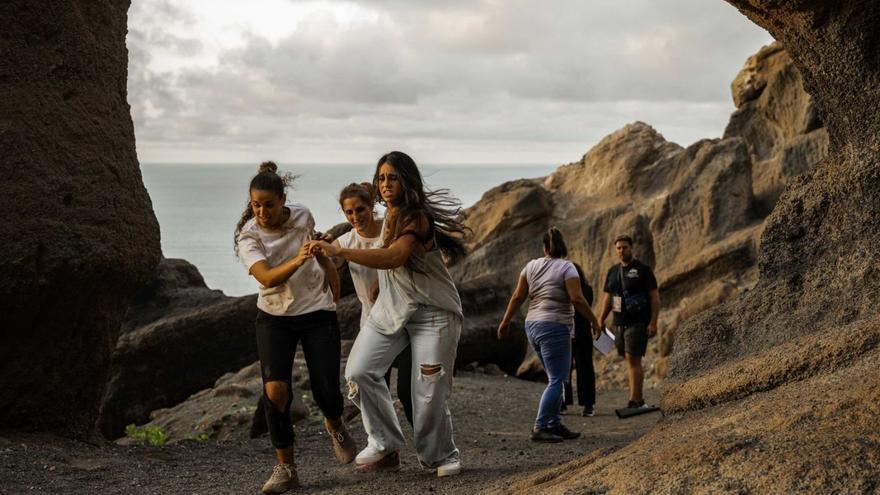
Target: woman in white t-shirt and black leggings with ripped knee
296,303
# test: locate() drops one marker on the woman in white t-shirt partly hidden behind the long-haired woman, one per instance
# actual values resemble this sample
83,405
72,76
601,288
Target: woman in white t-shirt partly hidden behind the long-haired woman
358,204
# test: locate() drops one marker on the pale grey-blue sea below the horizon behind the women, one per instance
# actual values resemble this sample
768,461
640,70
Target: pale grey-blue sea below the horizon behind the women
198,205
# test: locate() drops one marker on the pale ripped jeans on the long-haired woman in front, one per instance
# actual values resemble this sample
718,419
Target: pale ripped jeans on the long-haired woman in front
433,334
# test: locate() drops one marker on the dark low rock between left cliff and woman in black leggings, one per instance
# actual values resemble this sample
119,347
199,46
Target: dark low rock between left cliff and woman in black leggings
180,337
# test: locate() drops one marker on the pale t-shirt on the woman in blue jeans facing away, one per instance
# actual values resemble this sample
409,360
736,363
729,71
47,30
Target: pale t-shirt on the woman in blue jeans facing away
548,299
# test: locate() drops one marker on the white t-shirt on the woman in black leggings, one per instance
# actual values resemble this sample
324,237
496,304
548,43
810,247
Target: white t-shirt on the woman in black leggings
304,292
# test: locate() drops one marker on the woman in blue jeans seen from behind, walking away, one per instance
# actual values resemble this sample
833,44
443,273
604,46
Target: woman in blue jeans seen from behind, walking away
552,285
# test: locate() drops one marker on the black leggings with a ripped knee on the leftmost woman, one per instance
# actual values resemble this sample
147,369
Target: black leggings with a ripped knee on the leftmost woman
277,337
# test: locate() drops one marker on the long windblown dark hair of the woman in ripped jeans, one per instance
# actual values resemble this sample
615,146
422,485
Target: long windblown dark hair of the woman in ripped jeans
442,211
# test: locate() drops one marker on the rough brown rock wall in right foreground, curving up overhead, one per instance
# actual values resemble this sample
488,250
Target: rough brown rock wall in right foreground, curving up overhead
776,390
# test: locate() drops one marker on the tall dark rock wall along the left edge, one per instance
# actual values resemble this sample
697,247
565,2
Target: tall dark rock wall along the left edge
80,235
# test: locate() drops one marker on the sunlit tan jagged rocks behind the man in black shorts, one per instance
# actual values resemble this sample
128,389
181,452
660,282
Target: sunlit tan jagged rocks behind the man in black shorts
696,213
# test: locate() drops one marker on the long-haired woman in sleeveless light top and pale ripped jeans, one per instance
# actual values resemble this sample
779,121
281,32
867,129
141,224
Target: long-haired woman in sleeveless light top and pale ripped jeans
418,305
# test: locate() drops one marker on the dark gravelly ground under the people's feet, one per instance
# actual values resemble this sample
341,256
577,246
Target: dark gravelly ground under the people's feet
492,417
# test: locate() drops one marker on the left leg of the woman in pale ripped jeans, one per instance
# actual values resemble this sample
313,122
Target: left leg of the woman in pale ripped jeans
370,357
